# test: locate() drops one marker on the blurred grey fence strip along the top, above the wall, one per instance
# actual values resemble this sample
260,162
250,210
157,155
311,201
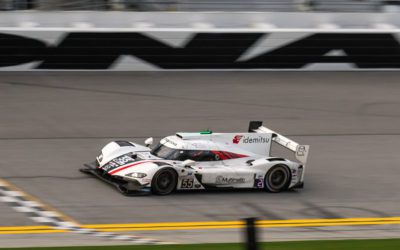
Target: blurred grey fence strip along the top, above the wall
204,5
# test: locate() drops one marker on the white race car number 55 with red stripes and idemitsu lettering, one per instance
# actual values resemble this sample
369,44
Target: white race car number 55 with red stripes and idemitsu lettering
203,160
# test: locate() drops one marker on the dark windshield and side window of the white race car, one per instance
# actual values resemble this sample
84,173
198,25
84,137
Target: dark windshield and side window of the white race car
167,153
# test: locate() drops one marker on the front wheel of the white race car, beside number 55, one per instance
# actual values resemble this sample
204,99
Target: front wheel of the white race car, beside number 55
164,181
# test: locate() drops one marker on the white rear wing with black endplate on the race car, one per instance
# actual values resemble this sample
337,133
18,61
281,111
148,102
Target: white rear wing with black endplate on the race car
301,151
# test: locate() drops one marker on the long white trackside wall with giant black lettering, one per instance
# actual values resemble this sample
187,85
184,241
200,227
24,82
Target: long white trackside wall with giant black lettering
132,41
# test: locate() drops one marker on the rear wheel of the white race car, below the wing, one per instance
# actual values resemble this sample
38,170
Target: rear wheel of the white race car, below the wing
277,179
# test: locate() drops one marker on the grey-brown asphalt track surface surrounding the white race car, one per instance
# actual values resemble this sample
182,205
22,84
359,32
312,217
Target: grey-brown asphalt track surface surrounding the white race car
52,123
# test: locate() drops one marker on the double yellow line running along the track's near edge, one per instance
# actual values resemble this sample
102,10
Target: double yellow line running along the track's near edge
106,229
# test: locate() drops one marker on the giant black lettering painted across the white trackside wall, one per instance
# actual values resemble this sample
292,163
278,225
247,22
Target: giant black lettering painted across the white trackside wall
101,50
